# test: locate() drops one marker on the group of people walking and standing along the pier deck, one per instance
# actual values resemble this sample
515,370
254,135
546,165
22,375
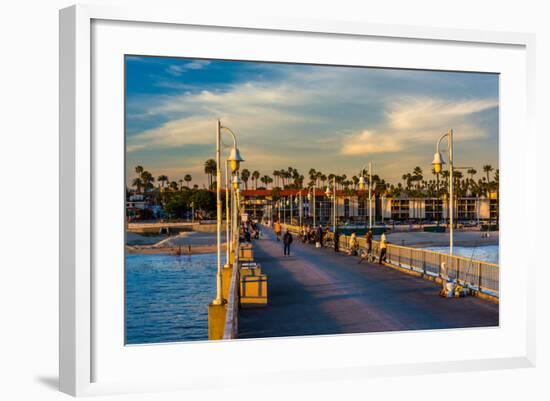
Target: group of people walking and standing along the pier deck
318,235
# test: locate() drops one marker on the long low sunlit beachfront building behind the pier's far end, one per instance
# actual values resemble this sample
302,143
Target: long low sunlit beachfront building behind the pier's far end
353,207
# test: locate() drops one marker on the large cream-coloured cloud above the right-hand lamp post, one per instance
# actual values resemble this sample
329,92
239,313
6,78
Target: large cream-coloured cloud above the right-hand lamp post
419,120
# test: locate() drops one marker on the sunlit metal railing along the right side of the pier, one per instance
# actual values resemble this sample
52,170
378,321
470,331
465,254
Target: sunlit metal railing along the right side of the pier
474,274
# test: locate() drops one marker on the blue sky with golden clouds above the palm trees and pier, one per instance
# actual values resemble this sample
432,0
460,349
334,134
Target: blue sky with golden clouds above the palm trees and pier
331,118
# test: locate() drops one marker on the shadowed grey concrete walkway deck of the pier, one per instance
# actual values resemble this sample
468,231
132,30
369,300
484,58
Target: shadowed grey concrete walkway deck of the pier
317,291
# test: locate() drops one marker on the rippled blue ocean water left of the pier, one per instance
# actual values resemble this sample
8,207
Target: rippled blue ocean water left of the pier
167,297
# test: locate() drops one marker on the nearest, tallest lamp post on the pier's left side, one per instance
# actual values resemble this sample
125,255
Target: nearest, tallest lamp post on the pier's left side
234,162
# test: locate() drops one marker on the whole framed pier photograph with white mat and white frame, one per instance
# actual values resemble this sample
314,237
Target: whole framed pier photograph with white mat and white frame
289,197
